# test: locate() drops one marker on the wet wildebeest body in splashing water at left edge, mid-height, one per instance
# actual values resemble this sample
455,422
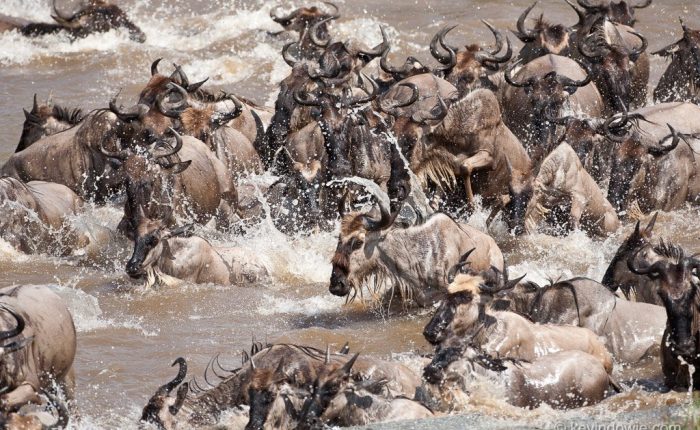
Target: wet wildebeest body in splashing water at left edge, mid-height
35,216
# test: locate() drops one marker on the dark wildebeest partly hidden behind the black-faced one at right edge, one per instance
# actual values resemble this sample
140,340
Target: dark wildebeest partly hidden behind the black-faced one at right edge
618,275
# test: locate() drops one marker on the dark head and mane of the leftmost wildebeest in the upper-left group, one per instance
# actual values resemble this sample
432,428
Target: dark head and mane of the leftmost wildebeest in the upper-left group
44,120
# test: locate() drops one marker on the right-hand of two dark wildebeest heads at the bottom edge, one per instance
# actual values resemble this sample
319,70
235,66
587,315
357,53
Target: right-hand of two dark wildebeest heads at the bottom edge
332,380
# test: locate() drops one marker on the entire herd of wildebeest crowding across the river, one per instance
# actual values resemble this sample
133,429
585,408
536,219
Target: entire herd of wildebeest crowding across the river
558,137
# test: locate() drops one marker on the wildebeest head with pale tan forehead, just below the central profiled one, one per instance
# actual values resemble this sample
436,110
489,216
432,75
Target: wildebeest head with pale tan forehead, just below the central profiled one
462,313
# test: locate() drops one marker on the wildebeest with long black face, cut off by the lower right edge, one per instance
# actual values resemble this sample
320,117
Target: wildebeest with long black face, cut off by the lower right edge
676,276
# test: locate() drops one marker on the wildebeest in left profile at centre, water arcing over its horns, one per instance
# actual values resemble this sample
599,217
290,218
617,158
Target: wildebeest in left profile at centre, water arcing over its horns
413,260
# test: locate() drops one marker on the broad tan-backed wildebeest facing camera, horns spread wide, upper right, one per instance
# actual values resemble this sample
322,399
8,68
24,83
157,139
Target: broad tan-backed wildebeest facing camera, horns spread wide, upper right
541,89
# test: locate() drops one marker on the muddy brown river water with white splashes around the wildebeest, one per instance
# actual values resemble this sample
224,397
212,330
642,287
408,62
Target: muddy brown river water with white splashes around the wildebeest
128,337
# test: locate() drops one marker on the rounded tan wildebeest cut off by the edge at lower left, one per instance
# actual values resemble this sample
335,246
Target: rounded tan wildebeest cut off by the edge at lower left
39,345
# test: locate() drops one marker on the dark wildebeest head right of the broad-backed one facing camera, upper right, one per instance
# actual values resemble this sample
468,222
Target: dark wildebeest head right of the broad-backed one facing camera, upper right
612,66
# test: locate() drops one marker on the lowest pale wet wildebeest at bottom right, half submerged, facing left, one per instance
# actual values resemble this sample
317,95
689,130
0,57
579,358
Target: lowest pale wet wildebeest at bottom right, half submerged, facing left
562,380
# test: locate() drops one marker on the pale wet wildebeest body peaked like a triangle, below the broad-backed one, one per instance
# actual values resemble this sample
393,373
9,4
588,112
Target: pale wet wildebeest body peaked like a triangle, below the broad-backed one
563,182
